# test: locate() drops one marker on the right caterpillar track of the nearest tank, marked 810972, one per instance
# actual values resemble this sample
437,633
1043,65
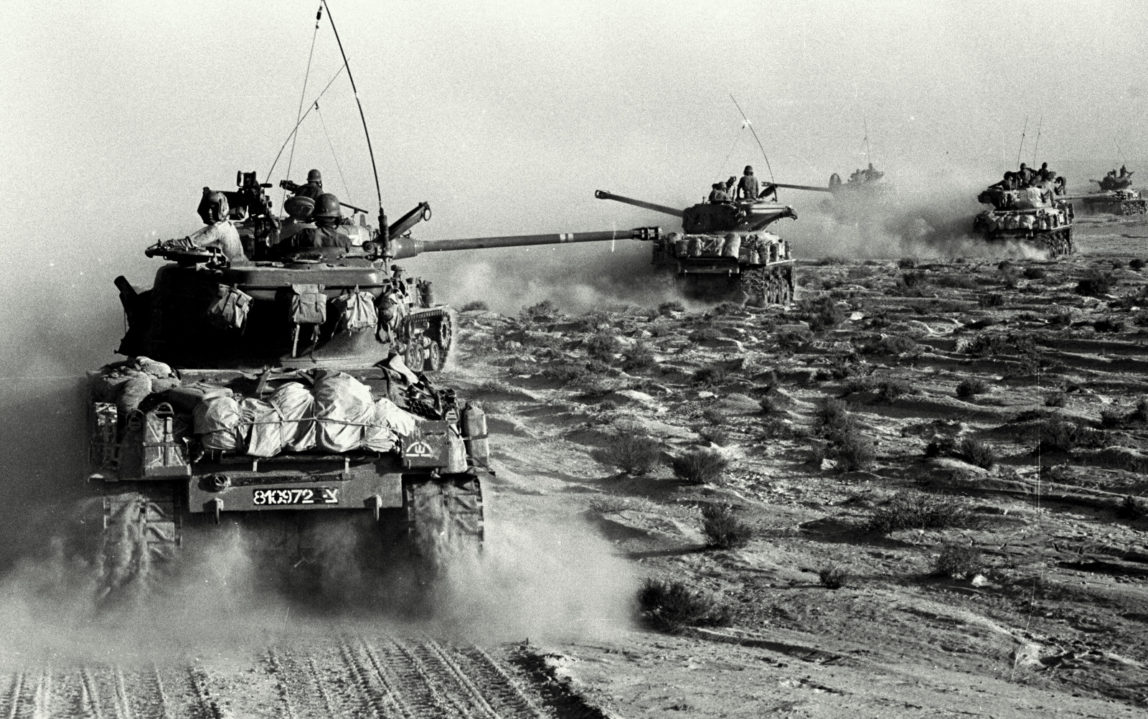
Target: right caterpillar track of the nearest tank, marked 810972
445,517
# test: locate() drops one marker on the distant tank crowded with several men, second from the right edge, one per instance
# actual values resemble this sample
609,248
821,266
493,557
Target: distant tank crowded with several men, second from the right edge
1036,215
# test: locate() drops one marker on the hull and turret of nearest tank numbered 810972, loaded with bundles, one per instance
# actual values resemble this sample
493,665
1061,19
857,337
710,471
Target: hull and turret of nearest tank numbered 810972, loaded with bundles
282,396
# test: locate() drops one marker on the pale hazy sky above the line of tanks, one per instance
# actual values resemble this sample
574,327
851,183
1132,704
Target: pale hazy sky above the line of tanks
507,117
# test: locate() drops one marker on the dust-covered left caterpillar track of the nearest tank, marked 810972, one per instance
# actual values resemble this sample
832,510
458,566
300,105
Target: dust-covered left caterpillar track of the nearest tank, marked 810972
139,545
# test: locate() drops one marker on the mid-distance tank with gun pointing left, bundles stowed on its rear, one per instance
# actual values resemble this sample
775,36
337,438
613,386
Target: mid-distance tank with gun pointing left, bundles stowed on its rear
724,251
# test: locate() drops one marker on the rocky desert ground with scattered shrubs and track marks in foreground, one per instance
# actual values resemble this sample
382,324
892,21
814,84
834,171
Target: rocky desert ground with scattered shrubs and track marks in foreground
920,491
